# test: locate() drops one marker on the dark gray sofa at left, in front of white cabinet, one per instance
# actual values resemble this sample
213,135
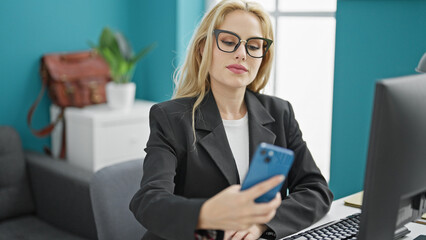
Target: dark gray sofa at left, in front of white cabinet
42,197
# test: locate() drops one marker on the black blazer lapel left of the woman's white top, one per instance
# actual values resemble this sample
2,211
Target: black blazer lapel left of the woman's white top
215,142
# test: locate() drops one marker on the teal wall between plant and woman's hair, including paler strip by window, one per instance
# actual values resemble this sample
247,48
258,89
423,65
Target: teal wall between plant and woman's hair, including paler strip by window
171,28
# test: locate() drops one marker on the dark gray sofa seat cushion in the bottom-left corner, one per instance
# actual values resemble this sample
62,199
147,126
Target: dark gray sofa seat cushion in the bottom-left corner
30,227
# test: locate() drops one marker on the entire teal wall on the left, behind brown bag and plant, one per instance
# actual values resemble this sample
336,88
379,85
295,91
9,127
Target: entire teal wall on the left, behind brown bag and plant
28,29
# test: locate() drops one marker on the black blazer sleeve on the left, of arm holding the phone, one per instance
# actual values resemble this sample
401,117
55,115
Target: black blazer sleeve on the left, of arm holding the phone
155,205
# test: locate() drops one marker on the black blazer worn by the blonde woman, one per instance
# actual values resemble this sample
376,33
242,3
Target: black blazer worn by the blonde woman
178,176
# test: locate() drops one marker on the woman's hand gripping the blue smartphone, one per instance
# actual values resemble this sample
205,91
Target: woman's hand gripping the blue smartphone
232,209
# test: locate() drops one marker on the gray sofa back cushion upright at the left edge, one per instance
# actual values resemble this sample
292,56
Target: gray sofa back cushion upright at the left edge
15,195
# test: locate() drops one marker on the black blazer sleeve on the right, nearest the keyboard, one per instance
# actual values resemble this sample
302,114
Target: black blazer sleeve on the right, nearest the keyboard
309,197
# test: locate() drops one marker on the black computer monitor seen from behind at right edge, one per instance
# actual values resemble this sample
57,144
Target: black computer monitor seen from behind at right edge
395,179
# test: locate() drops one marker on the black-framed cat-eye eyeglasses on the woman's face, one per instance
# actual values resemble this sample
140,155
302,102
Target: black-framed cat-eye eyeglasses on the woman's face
229,42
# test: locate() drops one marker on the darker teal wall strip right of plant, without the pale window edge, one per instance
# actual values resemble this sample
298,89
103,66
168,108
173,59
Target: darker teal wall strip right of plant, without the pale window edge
153,22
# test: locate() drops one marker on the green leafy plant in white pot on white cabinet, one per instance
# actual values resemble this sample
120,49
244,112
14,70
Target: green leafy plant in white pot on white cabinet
118,53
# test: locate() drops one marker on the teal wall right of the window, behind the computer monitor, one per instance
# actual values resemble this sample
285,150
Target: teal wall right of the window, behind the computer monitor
374,40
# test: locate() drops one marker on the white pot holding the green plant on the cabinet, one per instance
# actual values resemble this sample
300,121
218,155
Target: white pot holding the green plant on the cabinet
120,95
